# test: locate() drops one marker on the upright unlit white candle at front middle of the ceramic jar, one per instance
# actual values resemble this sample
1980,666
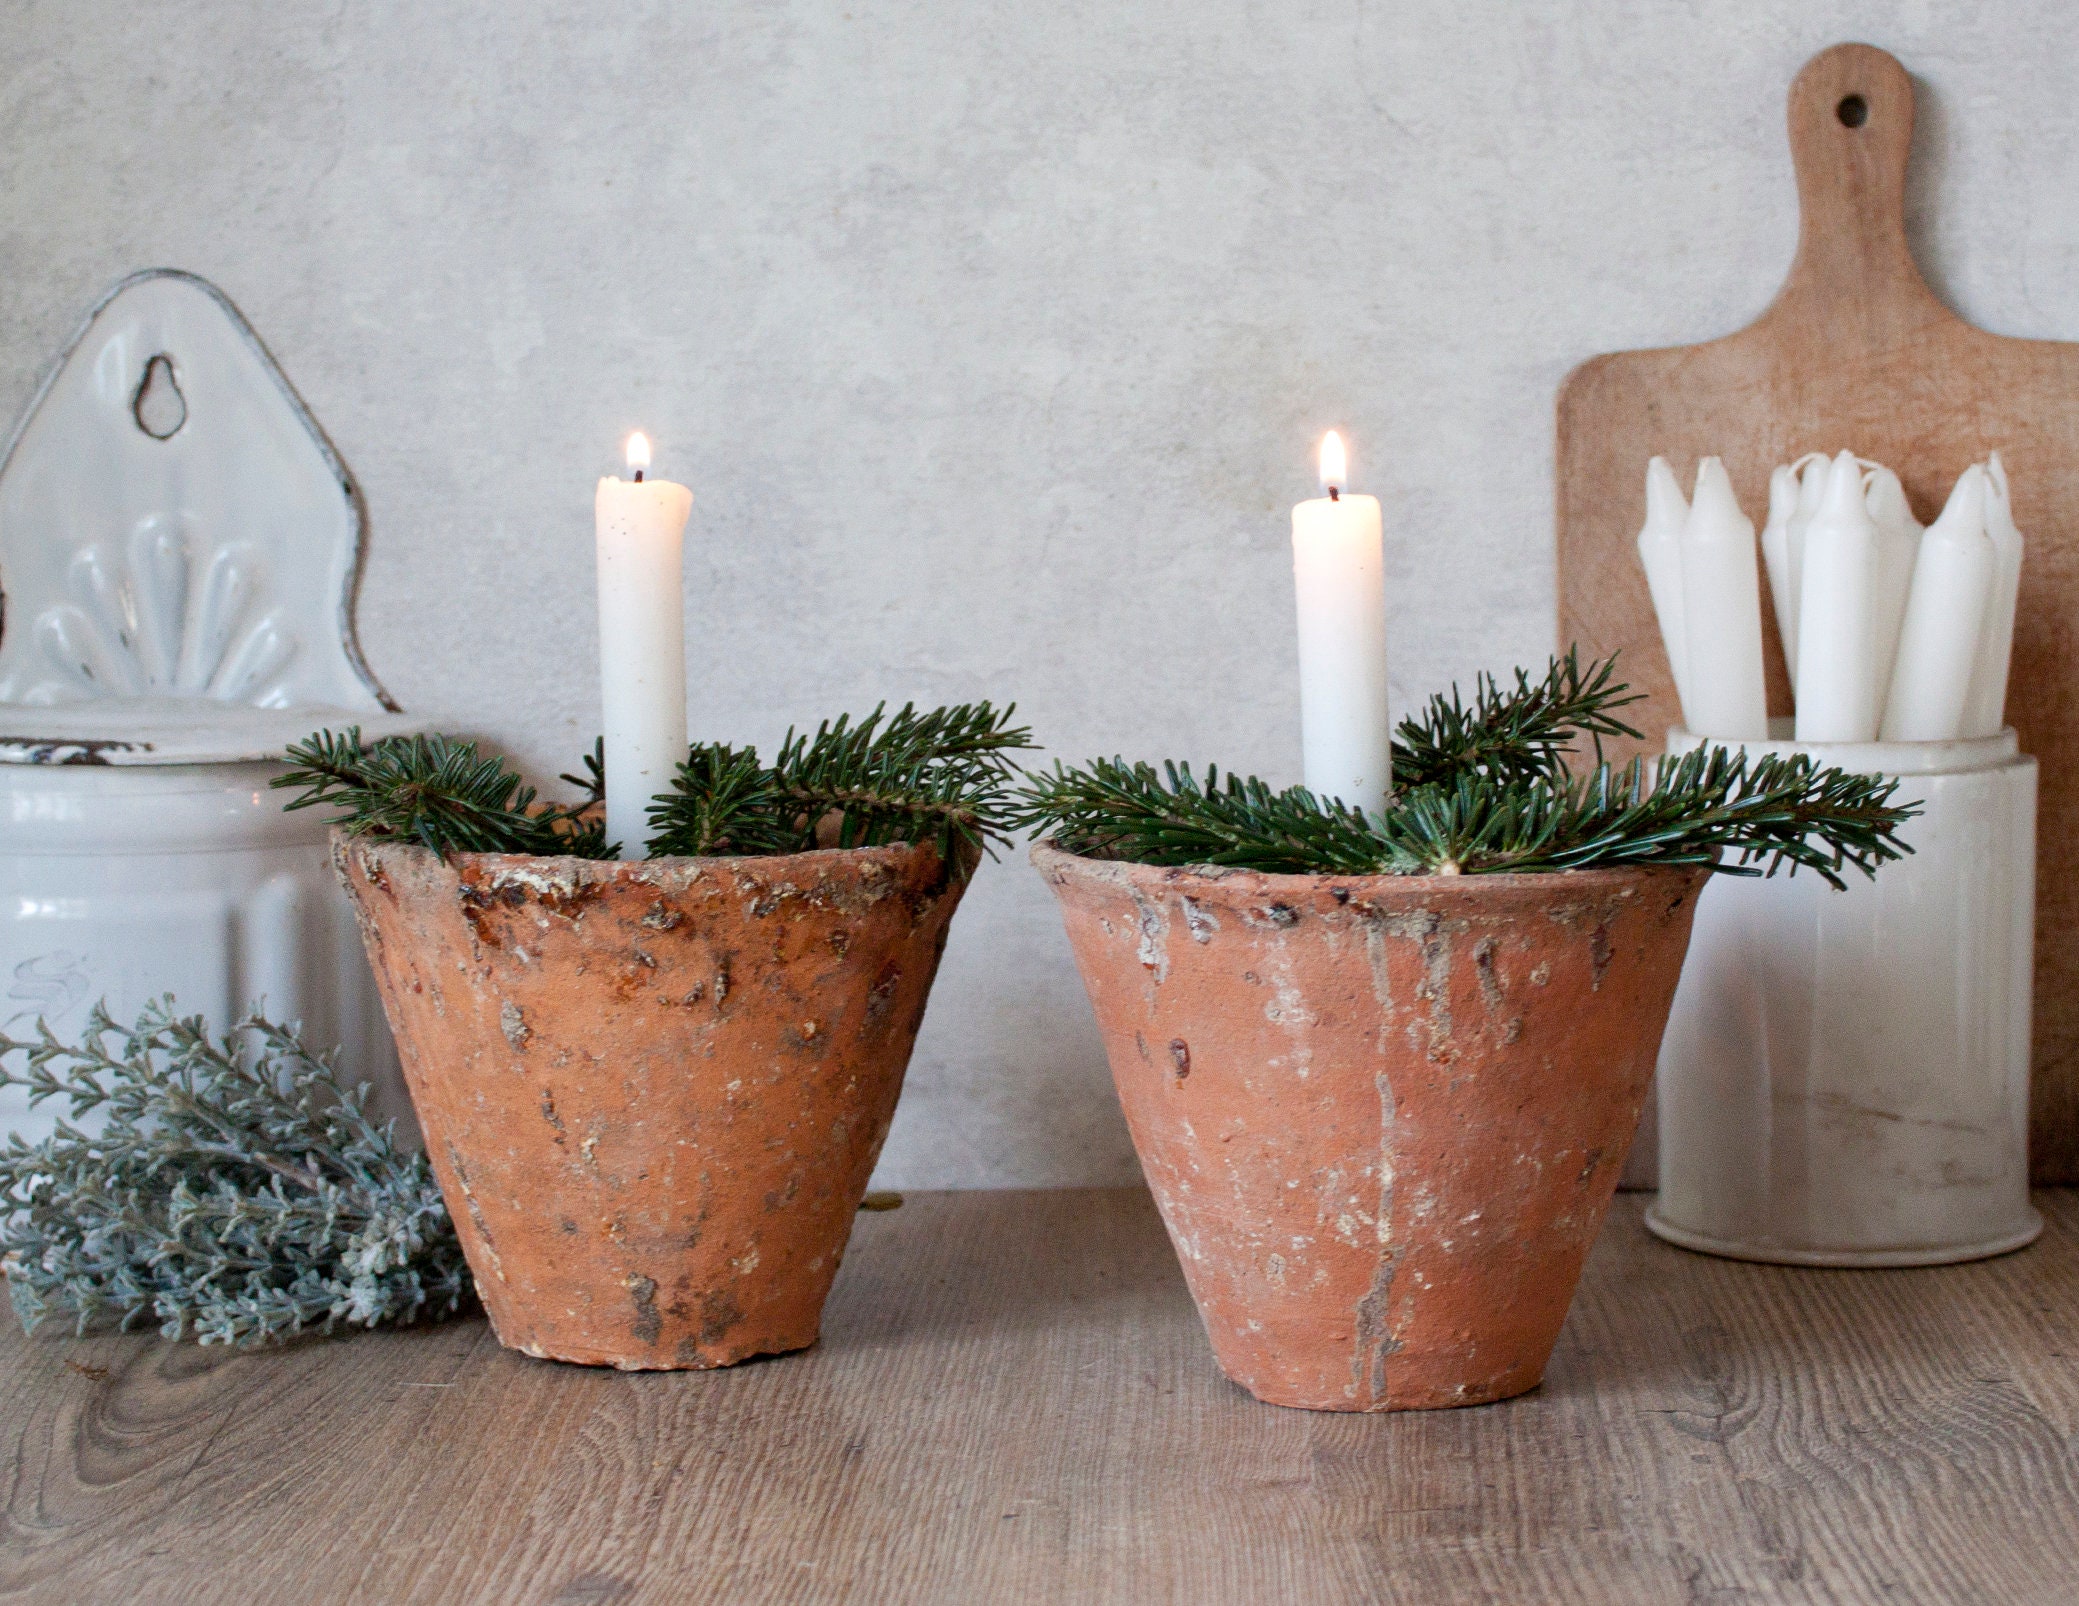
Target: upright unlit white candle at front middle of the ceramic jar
1839,696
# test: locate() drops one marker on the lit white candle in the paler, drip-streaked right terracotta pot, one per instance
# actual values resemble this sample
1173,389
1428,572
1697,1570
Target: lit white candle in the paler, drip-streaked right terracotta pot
1340,575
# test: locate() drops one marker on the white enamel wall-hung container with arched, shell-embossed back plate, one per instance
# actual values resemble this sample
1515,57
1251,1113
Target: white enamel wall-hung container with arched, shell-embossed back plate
178,559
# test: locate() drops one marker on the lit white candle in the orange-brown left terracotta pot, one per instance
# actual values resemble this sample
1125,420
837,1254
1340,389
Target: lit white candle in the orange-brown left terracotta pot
641,529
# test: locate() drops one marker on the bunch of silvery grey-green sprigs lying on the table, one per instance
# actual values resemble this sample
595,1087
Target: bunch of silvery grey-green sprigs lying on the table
236,1191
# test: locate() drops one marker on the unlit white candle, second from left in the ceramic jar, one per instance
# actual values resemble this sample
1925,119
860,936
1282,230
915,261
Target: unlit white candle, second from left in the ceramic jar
1722,615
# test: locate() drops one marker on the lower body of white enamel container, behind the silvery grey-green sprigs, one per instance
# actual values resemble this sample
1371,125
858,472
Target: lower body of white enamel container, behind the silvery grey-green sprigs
126,883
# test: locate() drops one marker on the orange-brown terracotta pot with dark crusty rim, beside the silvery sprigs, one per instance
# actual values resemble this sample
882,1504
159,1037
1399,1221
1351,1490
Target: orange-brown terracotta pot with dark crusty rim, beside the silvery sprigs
654,1091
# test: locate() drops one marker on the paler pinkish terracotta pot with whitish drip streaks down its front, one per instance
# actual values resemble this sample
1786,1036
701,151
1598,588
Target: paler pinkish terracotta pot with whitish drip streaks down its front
1384,1116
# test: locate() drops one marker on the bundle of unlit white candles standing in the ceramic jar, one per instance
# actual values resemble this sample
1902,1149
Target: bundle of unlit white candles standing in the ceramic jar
1891,631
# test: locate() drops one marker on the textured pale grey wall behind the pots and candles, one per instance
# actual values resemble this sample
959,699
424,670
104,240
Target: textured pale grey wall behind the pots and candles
993,340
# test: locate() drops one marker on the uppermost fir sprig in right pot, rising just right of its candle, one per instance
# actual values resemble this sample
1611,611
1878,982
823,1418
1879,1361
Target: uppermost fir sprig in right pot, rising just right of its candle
1512,735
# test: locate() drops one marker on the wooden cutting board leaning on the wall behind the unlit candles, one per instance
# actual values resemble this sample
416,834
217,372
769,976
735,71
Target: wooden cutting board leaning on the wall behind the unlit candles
1858,353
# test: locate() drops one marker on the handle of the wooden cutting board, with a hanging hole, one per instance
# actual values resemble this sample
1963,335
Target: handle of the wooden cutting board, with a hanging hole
1851,128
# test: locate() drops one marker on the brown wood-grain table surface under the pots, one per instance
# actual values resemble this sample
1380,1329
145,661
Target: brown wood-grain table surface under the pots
1014,1401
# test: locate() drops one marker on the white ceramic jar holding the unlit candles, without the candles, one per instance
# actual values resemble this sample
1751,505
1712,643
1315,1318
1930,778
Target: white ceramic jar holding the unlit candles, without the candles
1845,1077
